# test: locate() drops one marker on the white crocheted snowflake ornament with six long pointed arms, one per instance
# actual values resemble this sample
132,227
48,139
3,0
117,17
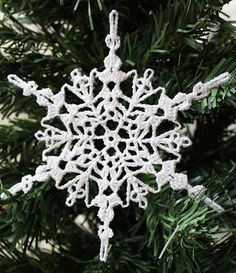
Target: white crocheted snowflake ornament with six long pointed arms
109,139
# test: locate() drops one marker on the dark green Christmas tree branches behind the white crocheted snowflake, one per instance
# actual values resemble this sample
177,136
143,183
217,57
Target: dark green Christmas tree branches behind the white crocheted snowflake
184,42
